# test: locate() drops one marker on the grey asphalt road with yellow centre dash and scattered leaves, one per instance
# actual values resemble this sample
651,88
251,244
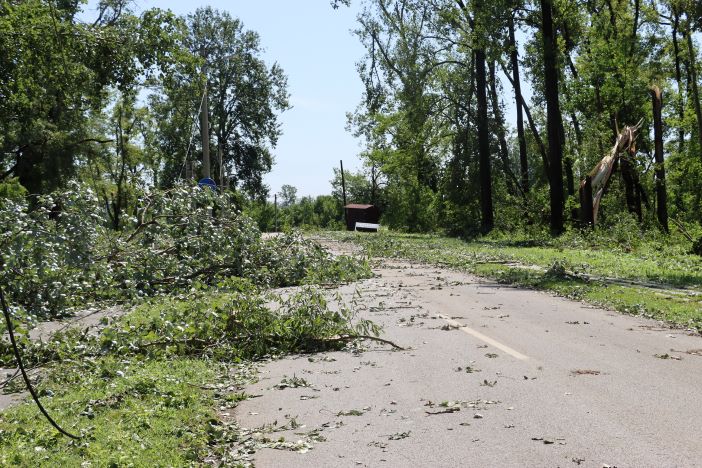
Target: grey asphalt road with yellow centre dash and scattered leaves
492,376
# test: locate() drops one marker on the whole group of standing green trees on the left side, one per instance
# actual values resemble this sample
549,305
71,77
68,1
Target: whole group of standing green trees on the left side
115,100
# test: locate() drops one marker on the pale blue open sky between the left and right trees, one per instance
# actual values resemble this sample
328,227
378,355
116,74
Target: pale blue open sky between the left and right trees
313,44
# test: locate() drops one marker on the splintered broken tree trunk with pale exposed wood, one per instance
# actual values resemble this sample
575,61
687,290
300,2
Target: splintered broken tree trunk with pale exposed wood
593,187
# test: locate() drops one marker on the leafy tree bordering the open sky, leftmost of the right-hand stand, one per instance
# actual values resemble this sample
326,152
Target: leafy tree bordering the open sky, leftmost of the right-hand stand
399,104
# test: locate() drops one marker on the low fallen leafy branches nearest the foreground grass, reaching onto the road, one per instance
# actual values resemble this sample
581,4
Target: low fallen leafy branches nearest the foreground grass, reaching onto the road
240,322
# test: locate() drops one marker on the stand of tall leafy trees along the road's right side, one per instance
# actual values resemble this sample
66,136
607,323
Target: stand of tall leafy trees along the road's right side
438,73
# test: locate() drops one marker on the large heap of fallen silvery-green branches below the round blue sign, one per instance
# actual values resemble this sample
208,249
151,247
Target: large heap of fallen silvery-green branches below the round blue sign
59,254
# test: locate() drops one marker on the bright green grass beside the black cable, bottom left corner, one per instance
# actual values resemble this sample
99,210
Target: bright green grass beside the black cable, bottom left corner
148,413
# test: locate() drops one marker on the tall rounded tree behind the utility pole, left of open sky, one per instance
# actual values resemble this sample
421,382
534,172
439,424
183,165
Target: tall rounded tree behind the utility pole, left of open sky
245,97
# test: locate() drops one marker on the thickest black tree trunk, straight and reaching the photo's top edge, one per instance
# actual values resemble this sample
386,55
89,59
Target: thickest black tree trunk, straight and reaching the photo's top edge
553,117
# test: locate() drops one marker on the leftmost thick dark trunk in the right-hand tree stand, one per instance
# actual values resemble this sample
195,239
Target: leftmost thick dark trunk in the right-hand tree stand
487,221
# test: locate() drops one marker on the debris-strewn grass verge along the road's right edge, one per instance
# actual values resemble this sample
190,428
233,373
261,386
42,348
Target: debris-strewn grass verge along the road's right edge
572,267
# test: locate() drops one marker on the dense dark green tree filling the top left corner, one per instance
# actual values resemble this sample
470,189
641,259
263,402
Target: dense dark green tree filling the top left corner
57,69
